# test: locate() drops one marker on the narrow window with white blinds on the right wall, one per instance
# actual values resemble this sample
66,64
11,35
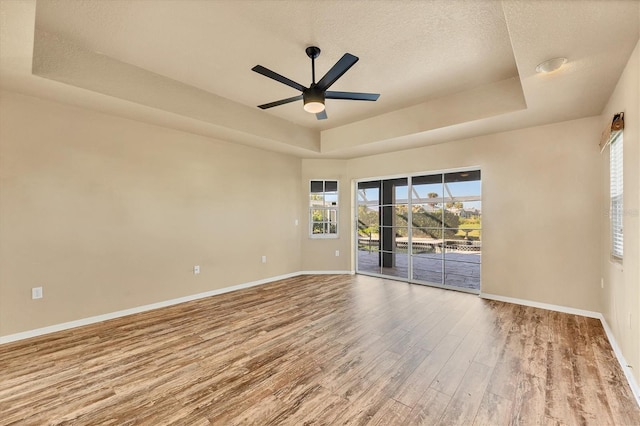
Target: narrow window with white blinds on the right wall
616,195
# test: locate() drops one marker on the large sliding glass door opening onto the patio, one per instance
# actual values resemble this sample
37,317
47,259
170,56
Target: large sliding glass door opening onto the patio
424,229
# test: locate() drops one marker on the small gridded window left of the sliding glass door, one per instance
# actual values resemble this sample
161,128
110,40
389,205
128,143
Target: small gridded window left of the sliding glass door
323,209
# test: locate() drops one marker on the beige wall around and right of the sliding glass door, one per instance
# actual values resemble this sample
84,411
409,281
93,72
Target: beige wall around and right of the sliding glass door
541,207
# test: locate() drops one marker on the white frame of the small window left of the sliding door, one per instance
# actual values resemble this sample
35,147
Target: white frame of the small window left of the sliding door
330,212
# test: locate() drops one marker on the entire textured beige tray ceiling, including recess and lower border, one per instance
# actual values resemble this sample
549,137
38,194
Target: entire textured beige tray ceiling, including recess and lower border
444,69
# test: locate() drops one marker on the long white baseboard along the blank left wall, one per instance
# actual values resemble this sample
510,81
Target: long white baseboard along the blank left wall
112,315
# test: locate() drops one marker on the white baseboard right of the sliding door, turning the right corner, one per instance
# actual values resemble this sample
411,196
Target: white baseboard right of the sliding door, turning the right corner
635,389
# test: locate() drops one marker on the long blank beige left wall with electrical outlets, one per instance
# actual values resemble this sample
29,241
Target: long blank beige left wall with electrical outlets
108,214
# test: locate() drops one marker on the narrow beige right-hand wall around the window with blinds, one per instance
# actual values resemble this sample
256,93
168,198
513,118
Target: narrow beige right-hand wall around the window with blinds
621,293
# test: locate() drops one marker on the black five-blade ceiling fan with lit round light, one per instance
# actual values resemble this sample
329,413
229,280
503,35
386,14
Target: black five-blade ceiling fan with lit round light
314,96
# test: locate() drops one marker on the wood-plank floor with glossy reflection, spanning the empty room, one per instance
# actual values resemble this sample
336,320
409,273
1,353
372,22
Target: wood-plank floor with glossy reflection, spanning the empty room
322,350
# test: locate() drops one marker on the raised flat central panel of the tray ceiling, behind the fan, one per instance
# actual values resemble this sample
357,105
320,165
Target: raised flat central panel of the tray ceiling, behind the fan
409,51
